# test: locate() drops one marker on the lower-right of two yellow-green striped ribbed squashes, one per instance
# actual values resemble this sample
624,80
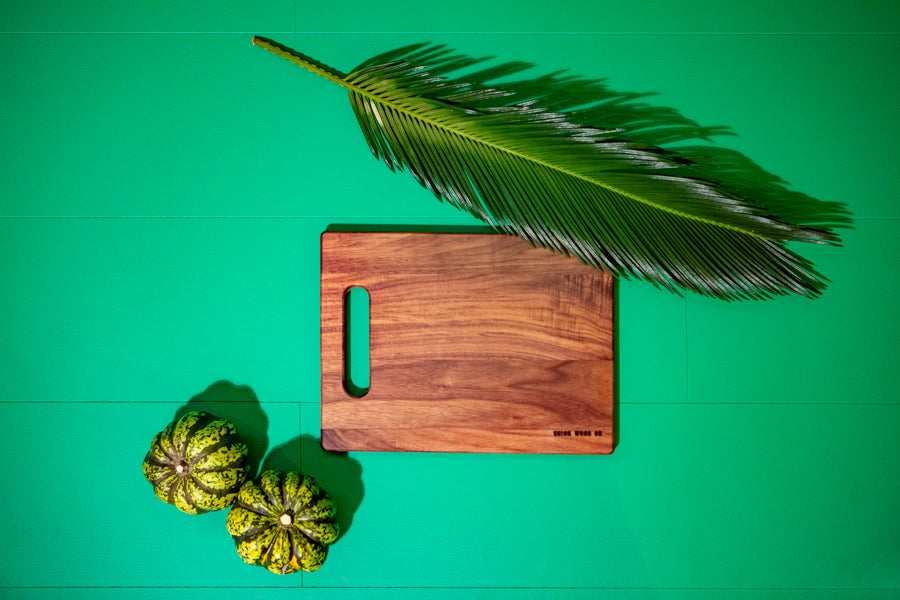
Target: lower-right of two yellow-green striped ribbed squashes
283,522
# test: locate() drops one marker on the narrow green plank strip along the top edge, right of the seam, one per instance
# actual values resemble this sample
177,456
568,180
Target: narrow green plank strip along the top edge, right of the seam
513,16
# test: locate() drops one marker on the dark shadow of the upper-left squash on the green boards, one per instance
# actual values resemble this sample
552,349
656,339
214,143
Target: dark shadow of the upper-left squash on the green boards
238,404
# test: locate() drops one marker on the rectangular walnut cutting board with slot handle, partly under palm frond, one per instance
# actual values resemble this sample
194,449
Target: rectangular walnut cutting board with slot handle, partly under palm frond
477,343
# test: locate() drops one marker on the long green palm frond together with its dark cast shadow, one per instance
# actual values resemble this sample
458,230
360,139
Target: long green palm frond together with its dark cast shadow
570,165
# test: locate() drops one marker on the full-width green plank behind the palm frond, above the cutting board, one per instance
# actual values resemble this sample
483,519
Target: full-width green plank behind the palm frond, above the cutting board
210,125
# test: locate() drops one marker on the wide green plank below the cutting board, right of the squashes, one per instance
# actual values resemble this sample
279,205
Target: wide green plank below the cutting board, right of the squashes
695,496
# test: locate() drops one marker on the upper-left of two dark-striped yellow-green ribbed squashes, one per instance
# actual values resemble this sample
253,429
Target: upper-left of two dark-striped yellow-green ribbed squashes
197,463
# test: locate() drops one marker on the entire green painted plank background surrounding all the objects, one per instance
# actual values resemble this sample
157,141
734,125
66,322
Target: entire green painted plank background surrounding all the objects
163,186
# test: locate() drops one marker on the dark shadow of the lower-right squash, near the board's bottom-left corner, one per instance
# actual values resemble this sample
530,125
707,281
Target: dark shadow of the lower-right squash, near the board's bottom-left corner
338,474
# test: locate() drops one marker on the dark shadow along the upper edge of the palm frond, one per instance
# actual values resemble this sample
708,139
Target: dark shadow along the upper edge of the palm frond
592,103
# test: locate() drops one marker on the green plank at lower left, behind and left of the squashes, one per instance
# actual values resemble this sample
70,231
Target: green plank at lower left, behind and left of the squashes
84,515
